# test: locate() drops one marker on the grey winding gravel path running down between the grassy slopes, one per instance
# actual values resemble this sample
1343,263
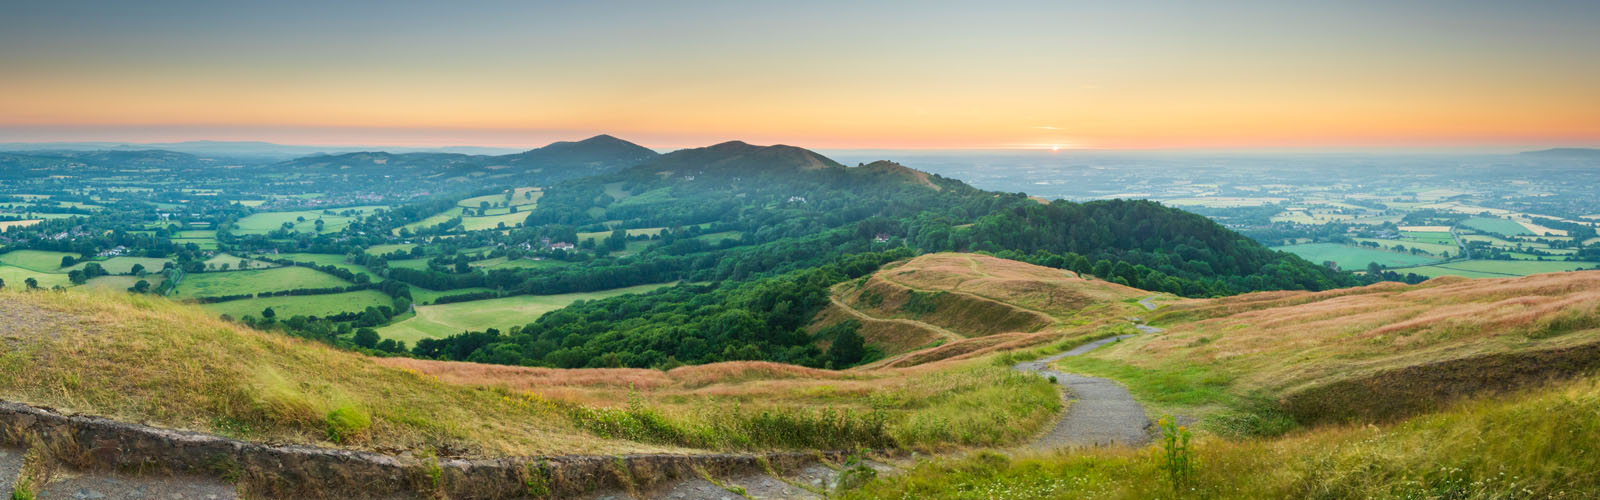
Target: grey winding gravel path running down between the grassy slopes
1100,411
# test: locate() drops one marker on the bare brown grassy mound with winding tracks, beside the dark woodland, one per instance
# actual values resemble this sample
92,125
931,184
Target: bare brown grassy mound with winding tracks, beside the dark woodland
950,305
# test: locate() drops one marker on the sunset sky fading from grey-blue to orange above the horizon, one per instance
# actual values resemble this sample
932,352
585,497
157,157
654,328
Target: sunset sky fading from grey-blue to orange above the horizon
818,75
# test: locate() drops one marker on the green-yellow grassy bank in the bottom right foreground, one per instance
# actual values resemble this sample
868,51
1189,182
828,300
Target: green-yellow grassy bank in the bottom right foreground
1534,446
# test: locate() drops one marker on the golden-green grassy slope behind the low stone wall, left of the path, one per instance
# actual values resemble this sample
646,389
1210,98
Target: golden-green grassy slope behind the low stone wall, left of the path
169,365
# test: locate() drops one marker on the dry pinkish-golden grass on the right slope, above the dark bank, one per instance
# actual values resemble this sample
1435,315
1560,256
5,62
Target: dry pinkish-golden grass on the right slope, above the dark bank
1289,342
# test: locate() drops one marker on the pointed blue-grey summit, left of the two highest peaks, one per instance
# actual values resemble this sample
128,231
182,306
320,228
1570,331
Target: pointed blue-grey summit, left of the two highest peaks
574,159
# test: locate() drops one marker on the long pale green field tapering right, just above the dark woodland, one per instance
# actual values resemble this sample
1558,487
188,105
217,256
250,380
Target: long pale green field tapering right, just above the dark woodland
497,313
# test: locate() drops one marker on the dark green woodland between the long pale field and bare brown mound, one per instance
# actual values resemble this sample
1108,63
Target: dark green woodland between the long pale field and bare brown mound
686,325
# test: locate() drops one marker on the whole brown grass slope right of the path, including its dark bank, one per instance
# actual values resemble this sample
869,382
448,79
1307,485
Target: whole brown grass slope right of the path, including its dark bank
1380,352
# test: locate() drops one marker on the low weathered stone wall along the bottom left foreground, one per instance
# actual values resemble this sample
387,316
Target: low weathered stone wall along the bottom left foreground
305,472
